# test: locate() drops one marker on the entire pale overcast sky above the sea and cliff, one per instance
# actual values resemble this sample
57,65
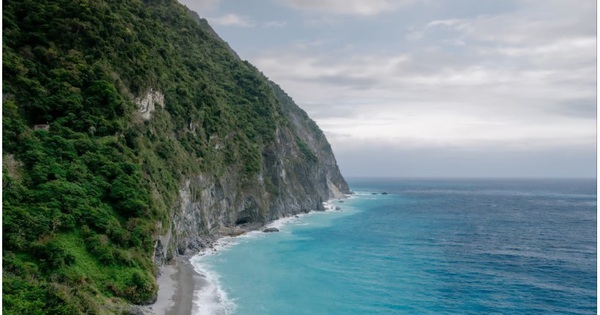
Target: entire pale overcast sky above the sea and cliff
431,88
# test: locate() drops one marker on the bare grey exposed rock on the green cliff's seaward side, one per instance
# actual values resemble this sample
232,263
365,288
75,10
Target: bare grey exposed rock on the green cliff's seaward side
299,172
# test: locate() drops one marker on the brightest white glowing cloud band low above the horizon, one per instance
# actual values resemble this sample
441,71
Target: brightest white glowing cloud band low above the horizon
457,130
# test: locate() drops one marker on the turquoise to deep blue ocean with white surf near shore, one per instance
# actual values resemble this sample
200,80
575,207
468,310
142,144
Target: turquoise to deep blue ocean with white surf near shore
478,246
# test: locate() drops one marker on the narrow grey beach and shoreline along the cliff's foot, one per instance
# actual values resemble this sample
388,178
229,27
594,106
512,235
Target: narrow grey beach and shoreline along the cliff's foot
178,281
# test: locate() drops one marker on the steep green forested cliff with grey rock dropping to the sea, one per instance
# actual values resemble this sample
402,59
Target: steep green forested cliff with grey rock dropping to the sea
156,136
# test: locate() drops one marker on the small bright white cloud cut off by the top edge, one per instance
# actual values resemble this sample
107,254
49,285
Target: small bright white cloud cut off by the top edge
347,7
